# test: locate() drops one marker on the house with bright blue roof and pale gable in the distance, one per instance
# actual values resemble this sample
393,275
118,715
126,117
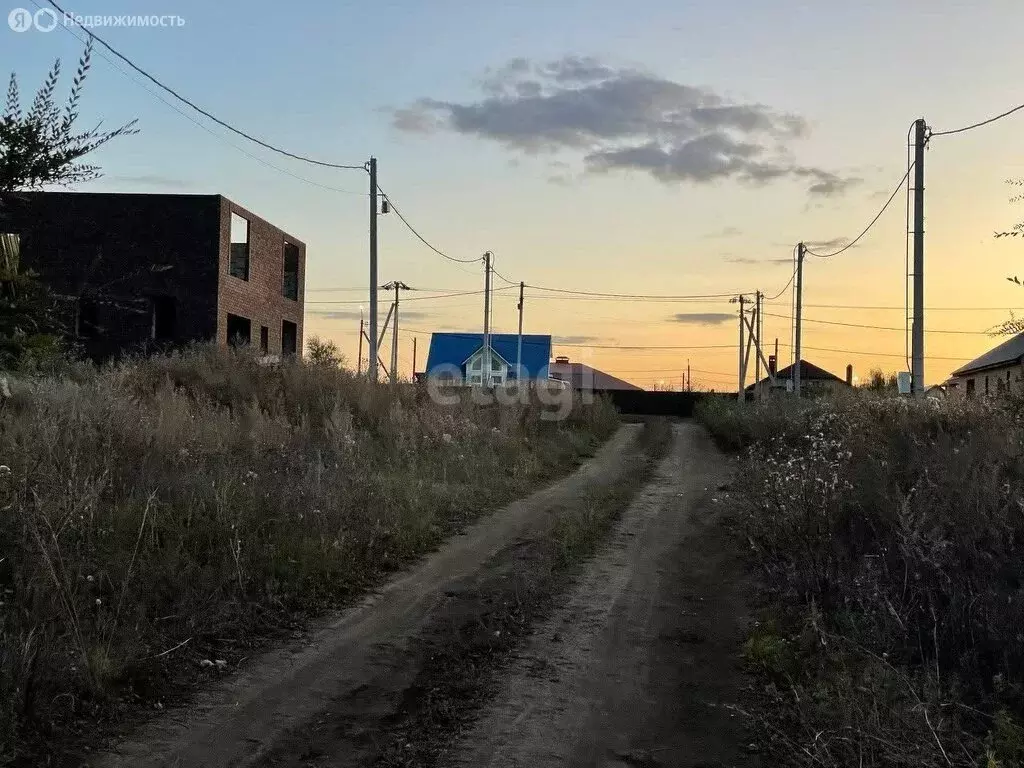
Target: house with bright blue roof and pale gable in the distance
459,358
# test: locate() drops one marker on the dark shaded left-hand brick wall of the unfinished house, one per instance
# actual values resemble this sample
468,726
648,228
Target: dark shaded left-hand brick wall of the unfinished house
120,250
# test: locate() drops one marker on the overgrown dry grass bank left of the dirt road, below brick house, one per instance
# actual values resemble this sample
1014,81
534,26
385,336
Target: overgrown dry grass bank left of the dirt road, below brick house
164,518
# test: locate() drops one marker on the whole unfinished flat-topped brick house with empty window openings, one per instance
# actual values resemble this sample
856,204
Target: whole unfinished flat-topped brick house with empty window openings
138,273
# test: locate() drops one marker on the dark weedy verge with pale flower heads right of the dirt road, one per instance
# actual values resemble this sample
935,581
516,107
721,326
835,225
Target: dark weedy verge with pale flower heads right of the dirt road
889,538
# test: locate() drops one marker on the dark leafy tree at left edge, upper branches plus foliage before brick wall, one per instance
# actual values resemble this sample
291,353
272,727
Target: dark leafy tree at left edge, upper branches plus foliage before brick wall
39,147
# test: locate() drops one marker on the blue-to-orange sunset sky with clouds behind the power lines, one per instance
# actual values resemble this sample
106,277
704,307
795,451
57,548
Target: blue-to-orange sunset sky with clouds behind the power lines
668,148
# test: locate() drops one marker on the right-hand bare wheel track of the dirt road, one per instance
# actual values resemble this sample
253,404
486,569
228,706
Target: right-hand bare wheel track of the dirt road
635,668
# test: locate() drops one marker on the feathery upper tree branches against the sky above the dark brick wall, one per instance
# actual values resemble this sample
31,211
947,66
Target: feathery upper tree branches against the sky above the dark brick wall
40,147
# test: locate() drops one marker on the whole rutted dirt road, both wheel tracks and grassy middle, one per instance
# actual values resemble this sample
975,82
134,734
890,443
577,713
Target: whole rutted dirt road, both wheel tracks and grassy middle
488,655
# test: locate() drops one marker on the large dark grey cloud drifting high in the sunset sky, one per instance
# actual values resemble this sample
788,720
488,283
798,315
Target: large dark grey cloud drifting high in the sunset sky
616,119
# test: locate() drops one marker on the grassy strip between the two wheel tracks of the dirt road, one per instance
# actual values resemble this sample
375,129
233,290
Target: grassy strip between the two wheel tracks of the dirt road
461,655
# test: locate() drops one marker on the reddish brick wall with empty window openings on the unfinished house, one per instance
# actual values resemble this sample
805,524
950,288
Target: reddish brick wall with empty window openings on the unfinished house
261,298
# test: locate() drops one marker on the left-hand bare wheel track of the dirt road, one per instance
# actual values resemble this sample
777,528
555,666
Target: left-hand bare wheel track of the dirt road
239,722
